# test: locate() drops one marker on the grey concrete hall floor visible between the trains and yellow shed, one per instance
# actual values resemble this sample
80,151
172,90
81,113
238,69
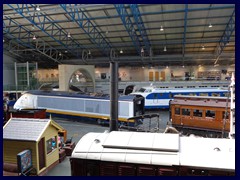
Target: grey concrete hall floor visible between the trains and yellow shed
78,129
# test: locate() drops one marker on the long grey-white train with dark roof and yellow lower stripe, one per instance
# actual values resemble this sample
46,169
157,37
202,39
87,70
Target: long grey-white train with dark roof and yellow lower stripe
82,106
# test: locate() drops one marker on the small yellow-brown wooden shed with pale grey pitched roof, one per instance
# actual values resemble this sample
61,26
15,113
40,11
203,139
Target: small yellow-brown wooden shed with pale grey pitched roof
38,135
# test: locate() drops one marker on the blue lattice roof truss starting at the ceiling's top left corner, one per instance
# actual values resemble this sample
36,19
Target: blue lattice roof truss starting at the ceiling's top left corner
48,26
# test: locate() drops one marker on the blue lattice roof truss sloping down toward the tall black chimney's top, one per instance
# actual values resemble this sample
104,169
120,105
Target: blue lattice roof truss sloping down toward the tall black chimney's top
77,15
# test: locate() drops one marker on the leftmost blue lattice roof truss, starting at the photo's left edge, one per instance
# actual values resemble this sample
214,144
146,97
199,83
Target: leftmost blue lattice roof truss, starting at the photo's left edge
20,38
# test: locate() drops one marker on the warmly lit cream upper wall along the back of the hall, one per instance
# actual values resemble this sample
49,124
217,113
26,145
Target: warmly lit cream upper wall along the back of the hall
141,74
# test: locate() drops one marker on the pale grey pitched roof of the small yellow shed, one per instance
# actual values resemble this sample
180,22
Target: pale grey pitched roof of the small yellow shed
26,128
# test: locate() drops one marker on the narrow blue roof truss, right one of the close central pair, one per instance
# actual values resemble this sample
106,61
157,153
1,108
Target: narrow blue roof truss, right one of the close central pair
138,20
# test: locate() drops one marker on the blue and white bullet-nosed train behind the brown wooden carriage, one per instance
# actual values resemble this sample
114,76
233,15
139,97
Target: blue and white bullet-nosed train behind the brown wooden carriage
160,98
